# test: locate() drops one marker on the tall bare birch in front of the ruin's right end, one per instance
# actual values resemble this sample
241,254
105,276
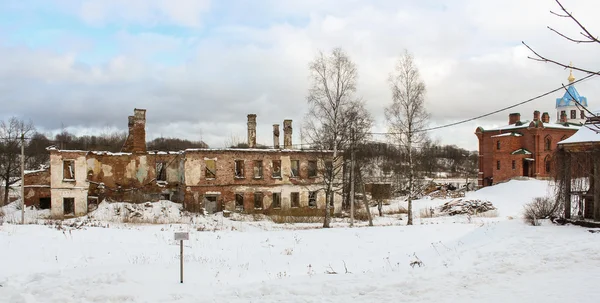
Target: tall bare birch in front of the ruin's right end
330,99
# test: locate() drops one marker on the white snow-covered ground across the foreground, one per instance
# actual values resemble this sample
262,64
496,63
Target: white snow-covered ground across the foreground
479,259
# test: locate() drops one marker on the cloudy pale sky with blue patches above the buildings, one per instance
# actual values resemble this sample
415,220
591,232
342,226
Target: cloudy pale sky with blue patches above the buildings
200,66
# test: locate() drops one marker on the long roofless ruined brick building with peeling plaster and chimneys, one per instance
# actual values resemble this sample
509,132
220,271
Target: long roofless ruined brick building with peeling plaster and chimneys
264,180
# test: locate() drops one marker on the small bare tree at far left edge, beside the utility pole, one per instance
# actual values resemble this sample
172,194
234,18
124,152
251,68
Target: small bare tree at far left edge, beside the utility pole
10,143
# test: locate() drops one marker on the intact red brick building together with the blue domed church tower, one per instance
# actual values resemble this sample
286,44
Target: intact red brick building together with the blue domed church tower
525,147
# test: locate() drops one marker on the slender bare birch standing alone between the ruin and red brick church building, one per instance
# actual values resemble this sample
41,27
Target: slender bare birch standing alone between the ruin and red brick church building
407,117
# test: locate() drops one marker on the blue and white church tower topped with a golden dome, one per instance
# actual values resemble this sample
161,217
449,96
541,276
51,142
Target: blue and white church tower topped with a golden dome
570,108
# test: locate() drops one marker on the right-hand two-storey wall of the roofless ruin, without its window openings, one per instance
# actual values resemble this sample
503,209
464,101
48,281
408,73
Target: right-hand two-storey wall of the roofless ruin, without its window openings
226,185
